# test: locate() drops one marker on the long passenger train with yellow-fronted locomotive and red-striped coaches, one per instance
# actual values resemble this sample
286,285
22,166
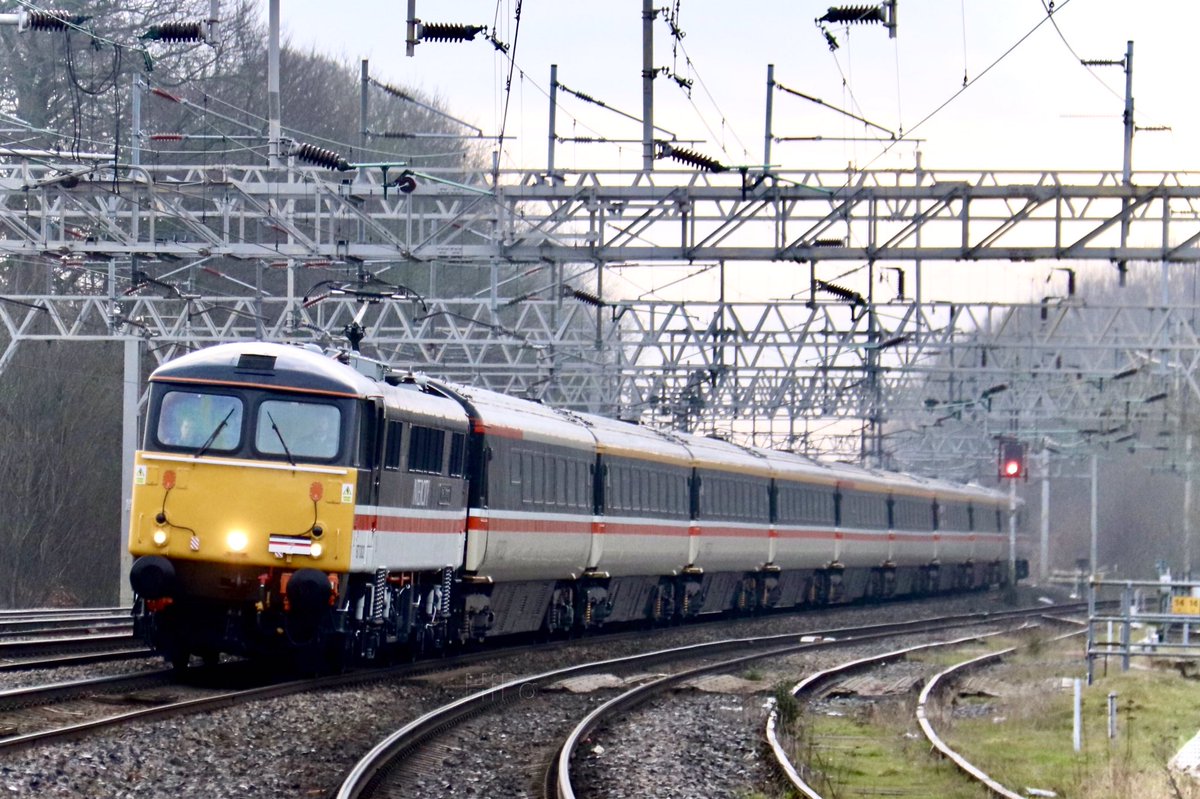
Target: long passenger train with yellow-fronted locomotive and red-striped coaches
296,503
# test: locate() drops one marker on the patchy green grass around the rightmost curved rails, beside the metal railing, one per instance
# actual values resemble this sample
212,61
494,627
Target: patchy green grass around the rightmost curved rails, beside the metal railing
1022,740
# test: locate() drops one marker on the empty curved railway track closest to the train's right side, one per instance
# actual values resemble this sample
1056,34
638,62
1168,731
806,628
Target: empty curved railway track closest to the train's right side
410,760
